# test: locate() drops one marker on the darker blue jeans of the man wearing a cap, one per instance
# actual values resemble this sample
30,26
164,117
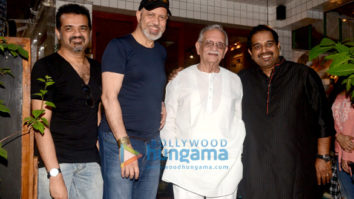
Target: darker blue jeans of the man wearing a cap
149,168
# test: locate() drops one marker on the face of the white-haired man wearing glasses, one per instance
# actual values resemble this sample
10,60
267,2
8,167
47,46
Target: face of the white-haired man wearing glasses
213,48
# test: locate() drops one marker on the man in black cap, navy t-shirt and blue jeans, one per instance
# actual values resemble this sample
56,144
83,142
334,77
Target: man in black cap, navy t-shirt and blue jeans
133,81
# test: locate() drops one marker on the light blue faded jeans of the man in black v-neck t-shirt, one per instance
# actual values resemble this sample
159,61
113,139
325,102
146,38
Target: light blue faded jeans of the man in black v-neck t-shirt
82,180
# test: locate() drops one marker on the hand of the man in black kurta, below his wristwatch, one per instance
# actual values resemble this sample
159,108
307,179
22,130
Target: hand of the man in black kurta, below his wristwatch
323,171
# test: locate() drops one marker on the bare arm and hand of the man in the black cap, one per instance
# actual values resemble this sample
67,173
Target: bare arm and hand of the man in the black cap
111,85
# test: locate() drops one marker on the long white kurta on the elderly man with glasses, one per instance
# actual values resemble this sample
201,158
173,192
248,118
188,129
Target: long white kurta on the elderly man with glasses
204,132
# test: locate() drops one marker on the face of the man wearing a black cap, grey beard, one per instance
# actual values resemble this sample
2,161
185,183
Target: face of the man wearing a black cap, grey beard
153,22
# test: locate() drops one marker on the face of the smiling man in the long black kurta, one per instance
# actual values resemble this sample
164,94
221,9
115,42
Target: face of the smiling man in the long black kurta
264,50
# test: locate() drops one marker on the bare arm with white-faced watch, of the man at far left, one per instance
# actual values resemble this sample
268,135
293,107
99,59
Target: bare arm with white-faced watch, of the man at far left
47,152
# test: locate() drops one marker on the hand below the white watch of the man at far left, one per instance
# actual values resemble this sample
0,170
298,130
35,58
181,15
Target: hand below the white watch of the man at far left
57,188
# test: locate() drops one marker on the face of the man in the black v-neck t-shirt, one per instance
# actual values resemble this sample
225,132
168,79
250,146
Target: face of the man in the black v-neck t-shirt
74,33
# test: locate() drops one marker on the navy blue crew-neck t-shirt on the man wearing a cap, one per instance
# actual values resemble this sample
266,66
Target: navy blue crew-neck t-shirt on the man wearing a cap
143,86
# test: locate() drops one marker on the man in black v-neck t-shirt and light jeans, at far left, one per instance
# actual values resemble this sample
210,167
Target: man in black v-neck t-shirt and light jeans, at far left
69,164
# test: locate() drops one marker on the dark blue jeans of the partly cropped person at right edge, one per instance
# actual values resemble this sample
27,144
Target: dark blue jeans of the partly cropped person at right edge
346,183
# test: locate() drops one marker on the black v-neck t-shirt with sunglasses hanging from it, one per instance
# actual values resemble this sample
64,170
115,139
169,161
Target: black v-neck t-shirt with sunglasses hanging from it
74,120
